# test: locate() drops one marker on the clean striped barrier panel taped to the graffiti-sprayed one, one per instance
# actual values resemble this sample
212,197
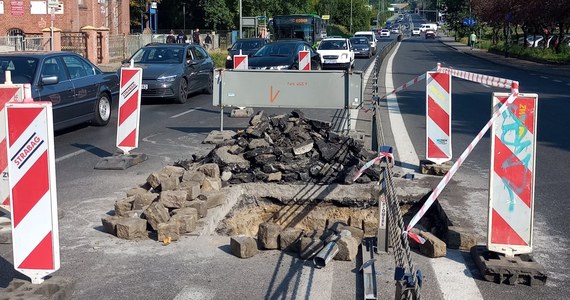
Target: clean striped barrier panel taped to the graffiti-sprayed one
438,117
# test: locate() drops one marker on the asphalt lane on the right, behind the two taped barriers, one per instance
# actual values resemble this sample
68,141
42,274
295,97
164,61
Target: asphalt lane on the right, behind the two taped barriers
467,195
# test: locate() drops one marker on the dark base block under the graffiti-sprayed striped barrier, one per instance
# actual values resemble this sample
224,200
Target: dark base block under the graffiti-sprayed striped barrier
495,267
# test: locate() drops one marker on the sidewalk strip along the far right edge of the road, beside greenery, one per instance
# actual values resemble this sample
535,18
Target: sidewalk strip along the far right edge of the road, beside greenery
554,69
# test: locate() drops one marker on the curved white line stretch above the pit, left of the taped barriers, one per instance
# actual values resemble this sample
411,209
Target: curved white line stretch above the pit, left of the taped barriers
406,152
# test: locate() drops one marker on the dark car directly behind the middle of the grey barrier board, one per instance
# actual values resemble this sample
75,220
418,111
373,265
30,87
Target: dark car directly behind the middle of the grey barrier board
283,55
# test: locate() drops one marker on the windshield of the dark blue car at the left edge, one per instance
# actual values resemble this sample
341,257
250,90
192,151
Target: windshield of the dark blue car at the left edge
22,69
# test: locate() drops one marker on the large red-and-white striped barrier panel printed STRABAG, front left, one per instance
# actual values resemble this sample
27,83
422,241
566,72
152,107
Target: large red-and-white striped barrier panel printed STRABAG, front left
35,236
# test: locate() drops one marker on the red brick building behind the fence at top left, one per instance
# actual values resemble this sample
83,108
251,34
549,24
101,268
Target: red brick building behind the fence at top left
30,16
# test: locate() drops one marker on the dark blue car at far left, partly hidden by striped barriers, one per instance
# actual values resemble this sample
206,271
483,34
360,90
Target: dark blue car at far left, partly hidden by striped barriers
79,91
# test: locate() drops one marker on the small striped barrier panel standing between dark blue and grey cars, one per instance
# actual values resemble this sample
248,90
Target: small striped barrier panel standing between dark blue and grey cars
129,109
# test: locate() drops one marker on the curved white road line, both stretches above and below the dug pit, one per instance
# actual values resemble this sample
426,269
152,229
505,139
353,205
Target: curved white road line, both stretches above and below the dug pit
455,279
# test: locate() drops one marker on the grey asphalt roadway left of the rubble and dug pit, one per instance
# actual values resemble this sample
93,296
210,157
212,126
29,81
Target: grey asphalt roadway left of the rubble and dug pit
104,267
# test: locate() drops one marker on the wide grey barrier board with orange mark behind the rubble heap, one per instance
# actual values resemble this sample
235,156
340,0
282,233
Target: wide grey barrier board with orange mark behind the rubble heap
288,89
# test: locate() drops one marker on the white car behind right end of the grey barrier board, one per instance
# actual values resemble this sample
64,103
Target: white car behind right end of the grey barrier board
336,53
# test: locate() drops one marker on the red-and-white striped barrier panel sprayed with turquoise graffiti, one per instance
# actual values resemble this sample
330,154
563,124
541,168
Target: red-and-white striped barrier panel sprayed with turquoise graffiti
511,197
